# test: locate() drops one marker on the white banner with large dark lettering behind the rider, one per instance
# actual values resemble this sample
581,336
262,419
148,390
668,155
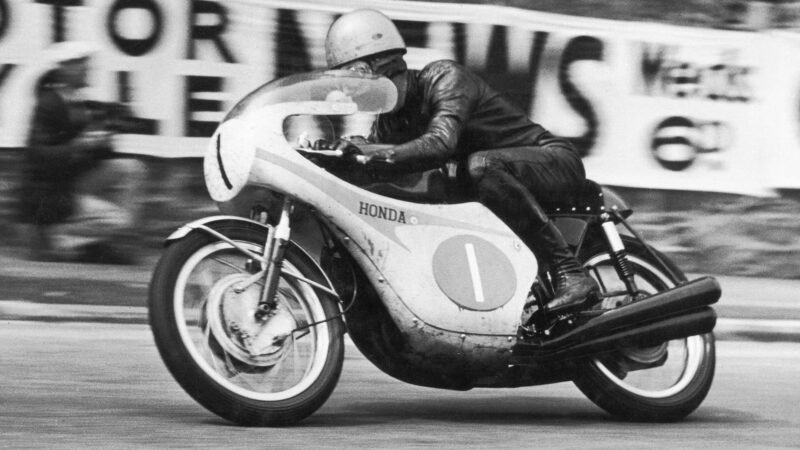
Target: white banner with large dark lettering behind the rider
648,105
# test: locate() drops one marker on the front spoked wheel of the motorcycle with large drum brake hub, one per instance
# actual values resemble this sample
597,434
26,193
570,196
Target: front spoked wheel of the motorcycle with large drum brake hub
251,370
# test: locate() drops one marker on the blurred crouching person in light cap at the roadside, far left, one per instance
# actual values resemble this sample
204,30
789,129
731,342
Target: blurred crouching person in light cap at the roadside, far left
72,192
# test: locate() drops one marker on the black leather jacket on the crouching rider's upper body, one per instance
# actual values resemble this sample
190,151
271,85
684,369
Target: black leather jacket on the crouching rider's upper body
450,113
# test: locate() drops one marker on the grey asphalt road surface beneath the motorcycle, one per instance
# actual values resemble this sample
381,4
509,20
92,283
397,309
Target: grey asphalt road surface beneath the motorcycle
78,385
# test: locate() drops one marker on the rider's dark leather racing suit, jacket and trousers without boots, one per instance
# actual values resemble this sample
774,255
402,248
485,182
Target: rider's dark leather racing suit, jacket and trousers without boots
452,114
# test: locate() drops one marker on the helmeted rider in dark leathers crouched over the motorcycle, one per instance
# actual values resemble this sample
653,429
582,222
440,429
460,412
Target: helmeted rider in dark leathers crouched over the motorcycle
446,112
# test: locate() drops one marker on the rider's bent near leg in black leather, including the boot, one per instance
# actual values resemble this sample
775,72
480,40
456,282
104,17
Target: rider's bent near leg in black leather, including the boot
496,179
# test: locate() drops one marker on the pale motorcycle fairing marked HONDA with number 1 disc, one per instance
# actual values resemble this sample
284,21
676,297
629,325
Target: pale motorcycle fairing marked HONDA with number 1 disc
455,267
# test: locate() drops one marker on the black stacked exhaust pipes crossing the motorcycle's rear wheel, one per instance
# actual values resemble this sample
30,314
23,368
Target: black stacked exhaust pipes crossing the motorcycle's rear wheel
663,316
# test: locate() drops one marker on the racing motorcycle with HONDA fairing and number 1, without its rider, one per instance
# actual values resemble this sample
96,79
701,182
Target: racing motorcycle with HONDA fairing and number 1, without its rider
250,308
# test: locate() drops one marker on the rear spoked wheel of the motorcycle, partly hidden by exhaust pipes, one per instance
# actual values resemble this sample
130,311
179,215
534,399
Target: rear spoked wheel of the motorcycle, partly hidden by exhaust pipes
658,383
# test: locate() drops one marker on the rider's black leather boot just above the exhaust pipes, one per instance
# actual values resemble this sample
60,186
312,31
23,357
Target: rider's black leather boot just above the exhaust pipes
572,285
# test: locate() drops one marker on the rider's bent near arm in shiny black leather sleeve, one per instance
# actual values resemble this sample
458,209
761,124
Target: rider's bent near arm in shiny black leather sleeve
451,93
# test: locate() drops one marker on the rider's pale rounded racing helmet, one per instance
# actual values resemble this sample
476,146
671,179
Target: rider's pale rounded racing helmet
361,33
